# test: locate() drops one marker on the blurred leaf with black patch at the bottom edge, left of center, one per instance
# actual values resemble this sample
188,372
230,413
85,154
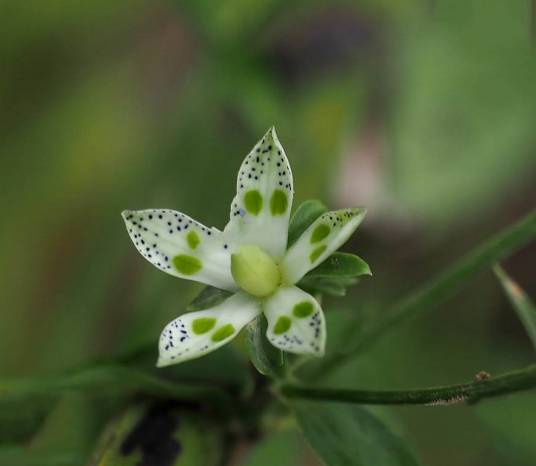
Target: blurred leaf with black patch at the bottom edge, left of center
160,434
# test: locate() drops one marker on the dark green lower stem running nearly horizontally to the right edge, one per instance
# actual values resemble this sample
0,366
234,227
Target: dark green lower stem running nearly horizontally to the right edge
473,392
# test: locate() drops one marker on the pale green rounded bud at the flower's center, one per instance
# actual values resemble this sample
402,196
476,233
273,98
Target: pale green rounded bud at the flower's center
255,271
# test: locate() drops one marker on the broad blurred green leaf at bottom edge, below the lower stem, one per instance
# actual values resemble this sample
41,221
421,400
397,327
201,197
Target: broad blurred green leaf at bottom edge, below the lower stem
349,435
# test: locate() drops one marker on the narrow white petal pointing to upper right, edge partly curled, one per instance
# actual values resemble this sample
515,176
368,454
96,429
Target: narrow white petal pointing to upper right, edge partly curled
325,235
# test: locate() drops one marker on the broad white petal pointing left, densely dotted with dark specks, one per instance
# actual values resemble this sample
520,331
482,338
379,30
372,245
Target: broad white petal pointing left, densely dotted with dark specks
180,246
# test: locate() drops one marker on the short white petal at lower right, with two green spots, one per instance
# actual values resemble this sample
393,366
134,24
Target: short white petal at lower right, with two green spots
295,322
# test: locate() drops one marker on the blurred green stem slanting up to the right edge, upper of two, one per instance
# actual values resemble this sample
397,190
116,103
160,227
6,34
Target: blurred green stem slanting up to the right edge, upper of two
439,289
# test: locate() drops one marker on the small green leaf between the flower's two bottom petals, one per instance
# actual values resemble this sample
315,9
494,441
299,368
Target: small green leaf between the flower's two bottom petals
266,358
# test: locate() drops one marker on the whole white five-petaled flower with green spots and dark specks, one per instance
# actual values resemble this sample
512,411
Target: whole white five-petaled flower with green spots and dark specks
249,257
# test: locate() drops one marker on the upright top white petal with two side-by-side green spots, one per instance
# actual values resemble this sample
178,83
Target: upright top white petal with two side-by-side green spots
261,208
